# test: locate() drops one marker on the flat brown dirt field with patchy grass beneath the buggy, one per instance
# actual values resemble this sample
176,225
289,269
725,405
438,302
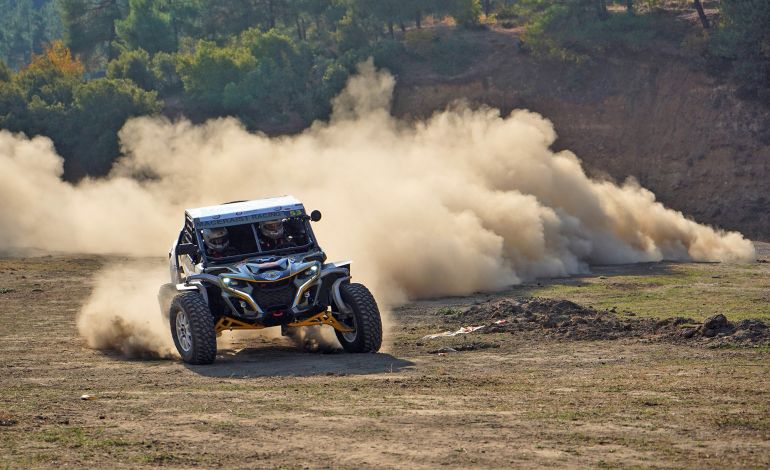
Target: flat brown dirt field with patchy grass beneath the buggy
498,398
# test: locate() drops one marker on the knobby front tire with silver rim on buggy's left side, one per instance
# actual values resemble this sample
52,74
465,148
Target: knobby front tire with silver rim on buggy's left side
192,328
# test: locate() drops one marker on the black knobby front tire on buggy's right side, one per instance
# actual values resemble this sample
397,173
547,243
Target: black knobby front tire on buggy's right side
364,319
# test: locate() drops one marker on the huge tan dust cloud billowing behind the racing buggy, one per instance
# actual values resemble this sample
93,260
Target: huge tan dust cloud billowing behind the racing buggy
465,201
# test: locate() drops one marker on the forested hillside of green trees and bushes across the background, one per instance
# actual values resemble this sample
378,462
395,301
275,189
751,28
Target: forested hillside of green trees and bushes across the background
75,70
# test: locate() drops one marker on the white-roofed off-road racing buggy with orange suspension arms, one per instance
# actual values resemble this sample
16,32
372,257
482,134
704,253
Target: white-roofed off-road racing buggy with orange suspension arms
258,283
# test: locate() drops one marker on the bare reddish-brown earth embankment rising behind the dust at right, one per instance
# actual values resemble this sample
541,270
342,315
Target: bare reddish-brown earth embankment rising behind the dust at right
657,117
